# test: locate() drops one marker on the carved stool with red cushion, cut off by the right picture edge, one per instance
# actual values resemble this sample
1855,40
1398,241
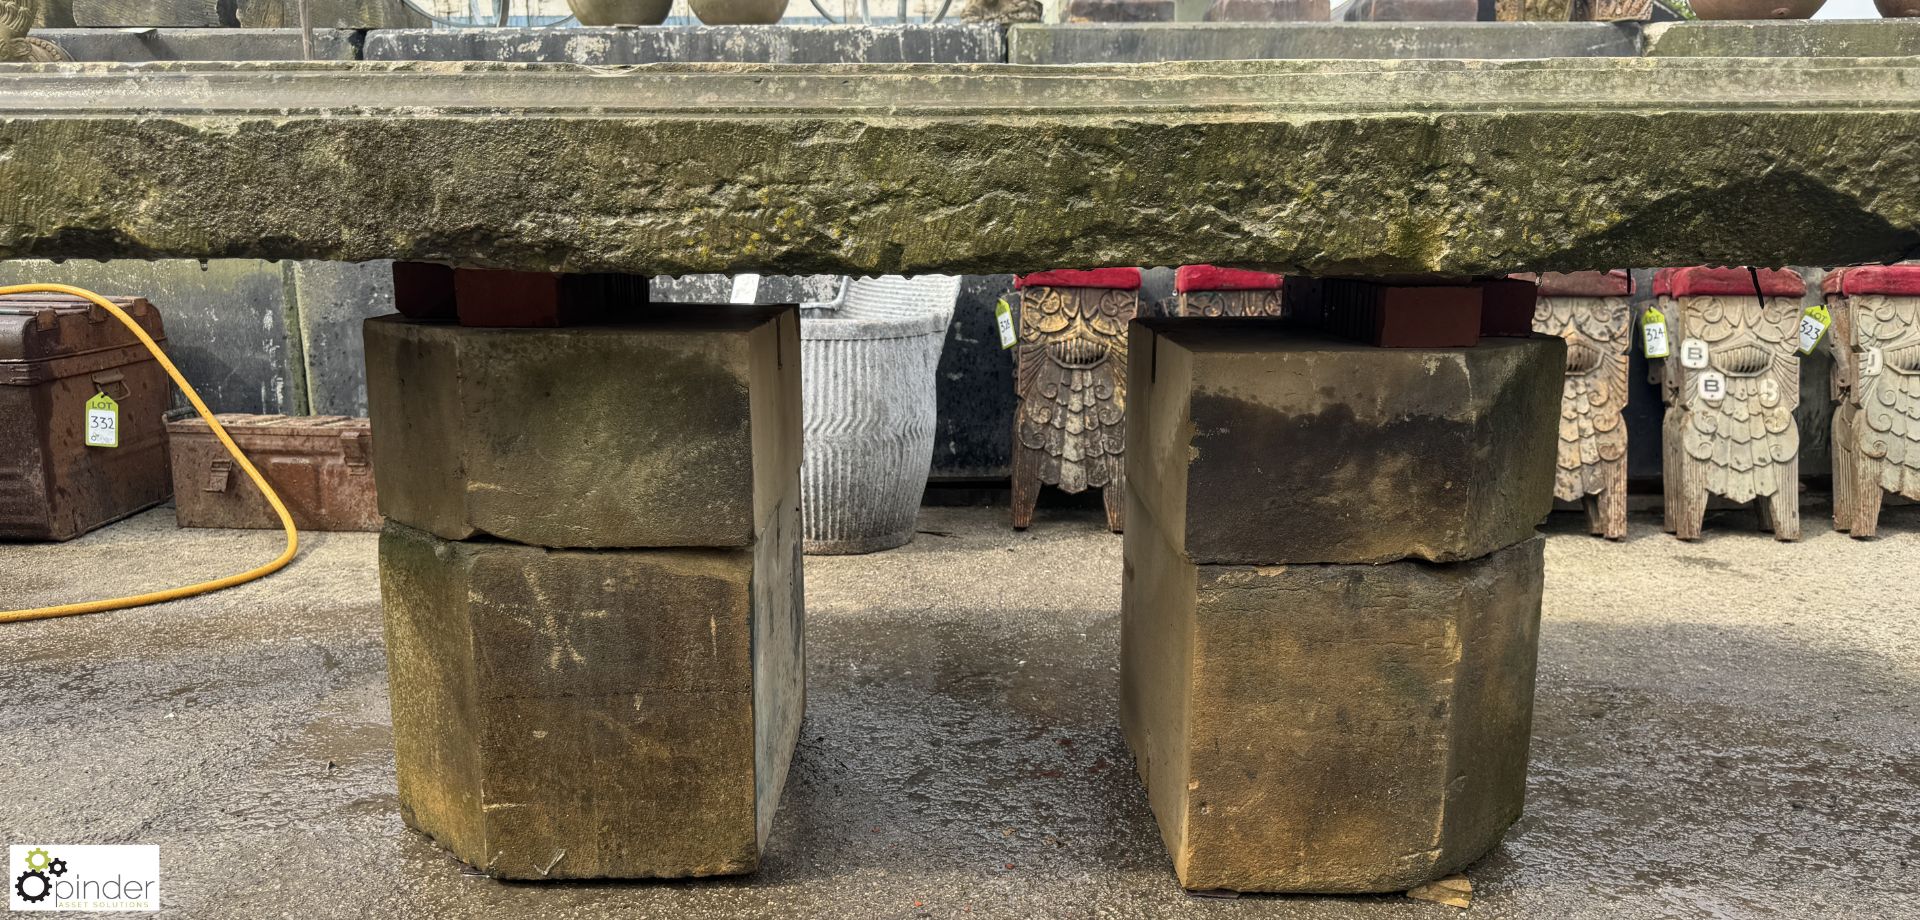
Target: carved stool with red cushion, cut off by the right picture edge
1877,391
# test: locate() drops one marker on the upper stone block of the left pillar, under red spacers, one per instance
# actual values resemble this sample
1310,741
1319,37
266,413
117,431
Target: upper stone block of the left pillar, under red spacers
677,429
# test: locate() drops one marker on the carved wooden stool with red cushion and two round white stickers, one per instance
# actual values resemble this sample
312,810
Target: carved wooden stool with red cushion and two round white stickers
1731,383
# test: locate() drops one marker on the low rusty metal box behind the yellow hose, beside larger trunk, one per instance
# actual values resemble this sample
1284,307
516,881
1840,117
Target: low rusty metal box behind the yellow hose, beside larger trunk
318,464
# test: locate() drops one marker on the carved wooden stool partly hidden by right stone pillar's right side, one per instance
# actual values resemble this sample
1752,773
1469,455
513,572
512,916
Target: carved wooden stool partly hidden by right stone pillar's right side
1591,310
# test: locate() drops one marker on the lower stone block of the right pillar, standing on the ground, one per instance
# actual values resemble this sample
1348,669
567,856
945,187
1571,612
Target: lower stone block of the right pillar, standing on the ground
1328,729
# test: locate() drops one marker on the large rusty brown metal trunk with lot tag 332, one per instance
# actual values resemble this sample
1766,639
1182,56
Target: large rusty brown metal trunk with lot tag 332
57,354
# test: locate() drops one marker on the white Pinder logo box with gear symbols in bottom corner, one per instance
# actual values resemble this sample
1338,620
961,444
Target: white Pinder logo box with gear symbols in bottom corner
84,879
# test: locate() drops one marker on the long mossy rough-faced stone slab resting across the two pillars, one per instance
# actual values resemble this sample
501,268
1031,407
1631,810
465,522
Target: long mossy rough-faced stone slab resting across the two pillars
1464,166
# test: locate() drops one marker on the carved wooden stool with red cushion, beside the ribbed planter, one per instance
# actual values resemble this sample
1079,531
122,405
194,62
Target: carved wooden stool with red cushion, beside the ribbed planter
1072,383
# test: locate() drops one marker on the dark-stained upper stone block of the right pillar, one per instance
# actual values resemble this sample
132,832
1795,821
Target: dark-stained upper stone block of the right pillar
1255,445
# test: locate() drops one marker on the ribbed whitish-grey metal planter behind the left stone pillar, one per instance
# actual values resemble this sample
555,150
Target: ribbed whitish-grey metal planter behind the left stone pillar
869,370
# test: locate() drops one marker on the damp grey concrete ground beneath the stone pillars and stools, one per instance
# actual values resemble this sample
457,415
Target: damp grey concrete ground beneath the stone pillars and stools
1725,729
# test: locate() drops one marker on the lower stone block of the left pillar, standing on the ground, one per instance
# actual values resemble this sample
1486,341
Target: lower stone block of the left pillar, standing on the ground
569,714
